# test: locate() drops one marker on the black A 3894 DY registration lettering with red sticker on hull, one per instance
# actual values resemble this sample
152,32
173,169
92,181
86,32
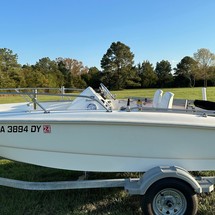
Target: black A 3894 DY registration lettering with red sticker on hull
25,129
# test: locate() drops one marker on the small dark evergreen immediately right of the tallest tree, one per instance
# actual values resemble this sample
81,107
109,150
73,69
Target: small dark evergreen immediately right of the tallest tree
147,74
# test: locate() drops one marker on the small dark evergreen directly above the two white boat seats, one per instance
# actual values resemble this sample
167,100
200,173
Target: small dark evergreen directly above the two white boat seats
163,71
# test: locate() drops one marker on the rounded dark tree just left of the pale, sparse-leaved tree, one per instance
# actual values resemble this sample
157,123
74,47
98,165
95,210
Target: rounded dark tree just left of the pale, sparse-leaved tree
187,68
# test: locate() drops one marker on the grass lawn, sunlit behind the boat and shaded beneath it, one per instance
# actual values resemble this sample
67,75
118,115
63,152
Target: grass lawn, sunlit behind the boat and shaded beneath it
114,201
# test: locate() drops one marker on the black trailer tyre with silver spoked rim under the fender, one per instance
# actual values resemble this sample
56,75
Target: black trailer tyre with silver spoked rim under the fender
170,196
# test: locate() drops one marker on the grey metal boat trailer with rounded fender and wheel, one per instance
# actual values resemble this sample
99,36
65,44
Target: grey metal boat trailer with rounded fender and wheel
164,189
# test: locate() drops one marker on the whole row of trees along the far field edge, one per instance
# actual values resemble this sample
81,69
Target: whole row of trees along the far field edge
117,71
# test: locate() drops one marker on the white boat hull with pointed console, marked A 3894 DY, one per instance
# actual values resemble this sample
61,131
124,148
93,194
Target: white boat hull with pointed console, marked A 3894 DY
94,134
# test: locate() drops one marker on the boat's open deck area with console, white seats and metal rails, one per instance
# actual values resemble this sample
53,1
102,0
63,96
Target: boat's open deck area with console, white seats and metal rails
100,100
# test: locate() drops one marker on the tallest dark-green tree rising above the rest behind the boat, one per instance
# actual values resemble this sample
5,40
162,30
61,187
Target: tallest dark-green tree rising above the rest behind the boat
118,70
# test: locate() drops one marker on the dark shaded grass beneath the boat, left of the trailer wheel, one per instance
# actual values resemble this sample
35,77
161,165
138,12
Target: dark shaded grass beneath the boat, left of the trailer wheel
62,202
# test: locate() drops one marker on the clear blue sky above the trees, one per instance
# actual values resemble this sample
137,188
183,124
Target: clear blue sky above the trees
154,30
